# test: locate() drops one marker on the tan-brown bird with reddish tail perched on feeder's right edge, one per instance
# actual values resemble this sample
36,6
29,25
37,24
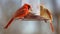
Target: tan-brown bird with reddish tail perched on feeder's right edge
46,14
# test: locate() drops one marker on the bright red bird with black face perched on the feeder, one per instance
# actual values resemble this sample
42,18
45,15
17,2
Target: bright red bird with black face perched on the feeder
20,13
